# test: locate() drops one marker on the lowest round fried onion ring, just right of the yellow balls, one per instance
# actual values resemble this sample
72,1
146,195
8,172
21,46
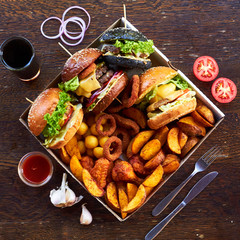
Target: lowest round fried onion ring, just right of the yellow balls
112,148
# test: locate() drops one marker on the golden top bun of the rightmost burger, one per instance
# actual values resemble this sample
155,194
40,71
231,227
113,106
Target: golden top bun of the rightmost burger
153,77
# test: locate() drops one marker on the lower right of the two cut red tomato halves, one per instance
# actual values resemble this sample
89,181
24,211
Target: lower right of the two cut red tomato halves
224,90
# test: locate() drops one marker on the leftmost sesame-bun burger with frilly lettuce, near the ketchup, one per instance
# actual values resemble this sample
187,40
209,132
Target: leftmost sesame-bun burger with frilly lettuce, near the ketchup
53,116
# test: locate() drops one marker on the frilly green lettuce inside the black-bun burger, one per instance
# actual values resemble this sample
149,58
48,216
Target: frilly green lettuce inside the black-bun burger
137,47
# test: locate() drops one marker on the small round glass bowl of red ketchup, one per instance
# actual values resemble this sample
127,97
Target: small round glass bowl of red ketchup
35,169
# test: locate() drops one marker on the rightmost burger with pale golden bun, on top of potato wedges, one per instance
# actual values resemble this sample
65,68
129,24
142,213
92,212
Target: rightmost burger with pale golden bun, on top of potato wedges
164,96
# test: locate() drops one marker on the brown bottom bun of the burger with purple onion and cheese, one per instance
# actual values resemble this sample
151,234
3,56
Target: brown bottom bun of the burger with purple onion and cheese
112,94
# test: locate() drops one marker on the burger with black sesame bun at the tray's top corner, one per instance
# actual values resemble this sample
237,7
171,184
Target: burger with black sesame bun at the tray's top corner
126,48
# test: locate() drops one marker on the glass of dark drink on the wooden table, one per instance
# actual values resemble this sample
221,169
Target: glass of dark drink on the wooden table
18,55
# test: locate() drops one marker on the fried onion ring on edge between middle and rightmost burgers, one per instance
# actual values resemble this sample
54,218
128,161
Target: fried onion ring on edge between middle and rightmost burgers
130,94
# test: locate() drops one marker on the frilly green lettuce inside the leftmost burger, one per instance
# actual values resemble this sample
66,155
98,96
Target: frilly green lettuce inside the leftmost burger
52,128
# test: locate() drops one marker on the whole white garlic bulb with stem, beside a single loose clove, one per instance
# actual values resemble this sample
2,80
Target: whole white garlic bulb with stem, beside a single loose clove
64,196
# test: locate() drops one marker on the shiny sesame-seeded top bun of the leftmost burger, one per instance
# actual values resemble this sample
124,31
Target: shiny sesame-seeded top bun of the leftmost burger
46,102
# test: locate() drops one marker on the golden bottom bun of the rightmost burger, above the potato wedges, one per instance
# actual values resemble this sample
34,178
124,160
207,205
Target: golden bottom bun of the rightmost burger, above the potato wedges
172,114
